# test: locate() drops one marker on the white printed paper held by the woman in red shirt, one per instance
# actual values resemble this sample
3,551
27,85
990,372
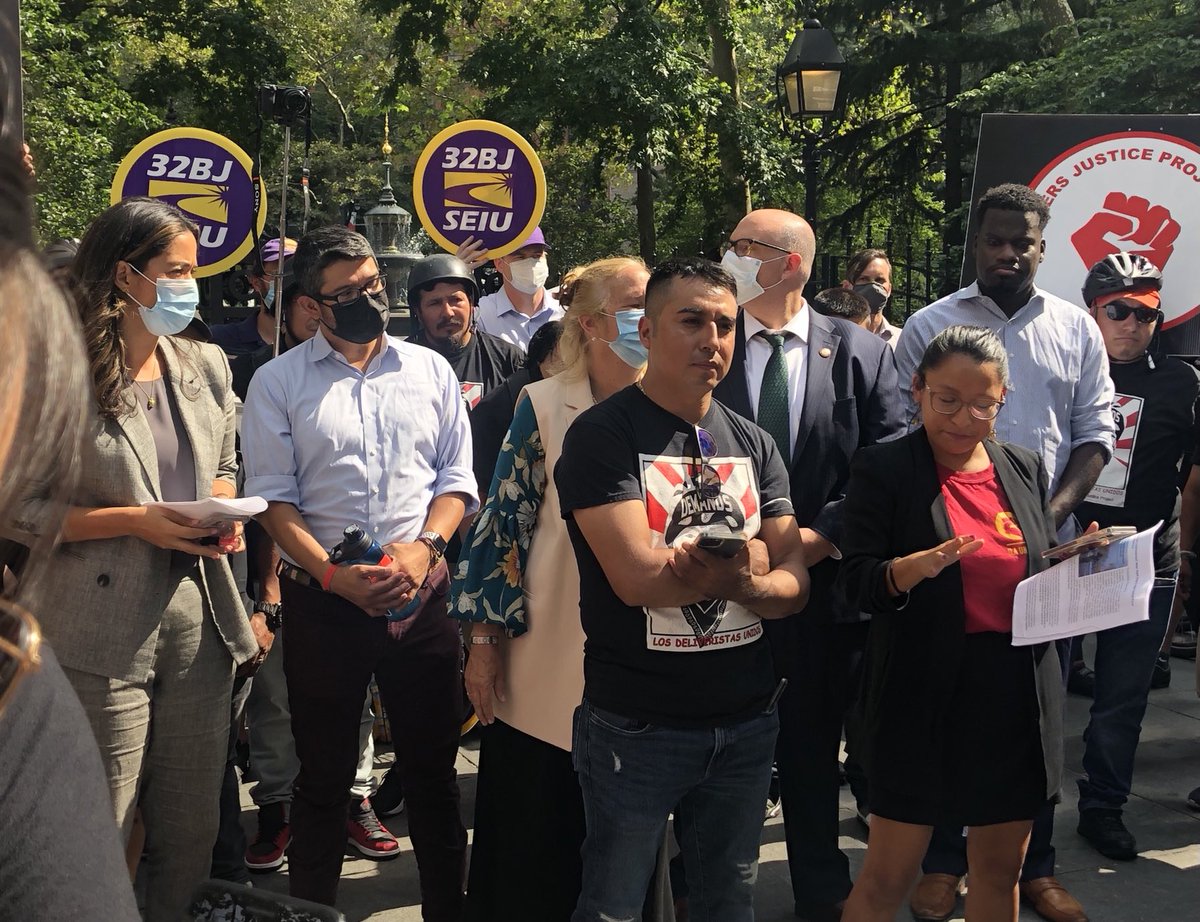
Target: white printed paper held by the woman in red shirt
1100,589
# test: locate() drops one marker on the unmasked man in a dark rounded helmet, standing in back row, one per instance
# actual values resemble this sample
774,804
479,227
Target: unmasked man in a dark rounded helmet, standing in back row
442,296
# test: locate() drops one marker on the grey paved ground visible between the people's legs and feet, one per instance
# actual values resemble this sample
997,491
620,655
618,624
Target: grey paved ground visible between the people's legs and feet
1163,885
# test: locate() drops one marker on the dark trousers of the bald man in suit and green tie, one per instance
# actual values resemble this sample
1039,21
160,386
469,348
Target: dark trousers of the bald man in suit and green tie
821,661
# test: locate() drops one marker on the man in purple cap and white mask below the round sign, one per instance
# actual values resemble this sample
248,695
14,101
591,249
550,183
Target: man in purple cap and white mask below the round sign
523,307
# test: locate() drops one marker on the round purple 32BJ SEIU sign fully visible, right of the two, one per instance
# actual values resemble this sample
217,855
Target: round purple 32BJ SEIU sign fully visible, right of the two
479,179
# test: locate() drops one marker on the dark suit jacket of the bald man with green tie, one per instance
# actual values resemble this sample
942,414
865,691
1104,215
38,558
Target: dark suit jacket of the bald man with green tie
851,399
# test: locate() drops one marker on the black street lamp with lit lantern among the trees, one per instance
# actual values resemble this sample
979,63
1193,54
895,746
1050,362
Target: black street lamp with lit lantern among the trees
807,86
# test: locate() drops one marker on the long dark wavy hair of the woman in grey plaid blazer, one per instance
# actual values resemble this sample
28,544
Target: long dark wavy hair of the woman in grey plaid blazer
134,231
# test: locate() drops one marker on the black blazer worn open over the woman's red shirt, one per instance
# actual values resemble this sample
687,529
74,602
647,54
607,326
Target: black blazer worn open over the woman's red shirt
914,652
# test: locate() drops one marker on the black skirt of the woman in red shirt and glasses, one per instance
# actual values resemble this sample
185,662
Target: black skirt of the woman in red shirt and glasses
993,767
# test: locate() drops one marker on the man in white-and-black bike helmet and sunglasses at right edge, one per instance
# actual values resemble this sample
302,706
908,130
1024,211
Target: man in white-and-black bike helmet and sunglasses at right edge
1157,430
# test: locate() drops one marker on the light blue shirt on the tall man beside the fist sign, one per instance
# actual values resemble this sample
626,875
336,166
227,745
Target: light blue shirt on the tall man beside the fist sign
1060,396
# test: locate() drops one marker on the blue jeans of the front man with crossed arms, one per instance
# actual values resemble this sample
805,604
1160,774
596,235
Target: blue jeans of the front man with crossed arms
634,775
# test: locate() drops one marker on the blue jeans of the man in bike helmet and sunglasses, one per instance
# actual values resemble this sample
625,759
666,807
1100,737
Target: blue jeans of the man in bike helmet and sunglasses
1125,662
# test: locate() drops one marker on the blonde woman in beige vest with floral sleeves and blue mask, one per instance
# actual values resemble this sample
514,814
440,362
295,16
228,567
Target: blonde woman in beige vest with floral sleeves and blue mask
519,586
